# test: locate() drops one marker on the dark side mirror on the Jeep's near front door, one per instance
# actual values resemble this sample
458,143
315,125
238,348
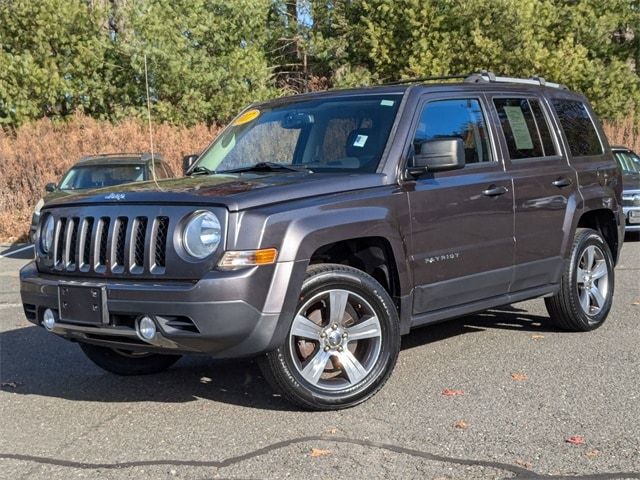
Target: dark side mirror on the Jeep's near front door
438,156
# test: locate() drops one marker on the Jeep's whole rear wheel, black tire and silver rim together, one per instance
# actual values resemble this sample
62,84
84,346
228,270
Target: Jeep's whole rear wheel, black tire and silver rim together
586,287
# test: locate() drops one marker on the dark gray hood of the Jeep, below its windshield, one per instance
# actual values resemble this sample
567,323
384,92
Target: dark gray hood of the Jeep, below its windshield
234,191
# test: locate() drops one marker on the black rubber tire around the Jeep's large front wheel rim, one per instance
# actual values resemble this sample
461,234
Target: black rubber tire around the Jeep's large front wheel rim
279,366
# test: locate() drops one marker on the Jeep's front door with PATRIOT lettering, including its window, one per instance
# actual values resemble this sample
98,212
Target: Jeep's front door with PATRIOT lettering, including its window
462,243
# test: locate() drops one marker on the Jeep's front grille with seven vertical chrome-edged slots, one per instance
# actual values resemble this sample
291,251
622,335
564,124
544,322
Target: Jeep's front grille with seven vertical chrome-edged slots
116,245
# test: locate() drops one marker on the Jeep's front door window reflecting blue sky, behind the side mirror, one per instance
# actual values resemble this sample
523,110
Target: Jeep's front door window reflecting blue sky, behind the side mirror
457,118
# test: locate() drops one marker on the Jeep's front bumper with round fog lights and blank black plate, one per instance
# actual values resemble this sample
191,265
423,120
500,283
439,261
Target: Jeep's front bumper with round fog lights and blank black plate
225,314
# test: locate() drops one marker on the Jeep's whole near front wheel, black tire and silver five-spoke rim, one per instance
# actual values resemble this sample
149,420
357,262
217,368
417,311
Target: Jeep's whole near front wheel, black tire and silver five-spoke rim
343,342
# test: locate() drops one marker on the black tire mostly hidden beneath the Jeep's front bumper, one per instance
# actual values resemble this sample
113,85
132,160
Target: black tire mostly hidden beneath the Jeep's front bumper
127,363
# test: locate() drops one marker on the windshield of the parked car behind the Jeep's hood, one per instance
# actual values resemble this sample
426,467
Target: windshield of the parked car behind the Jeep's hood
97,176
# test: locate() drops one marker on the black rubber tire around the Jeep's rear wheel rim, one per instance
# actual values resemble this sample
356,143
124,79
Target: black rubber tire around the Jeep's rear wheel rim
565,307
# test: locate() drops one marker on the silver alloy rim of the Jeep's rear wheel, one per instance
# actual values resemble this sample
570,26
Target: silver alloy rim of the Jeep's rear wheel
592,280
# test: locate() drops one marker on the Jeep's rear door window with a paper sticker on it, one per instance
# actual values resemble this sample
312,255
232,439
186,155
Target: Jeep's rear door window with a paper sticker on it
525,128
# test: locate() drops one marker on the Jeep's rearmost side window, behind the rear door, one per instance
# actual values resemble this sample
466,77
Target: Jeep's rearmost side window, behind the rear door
578,128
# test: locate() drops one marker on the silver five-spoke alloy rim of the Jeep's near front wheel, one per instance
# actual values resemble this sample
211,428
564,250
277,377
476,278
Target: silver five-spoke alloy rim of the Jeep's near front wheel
335,340
